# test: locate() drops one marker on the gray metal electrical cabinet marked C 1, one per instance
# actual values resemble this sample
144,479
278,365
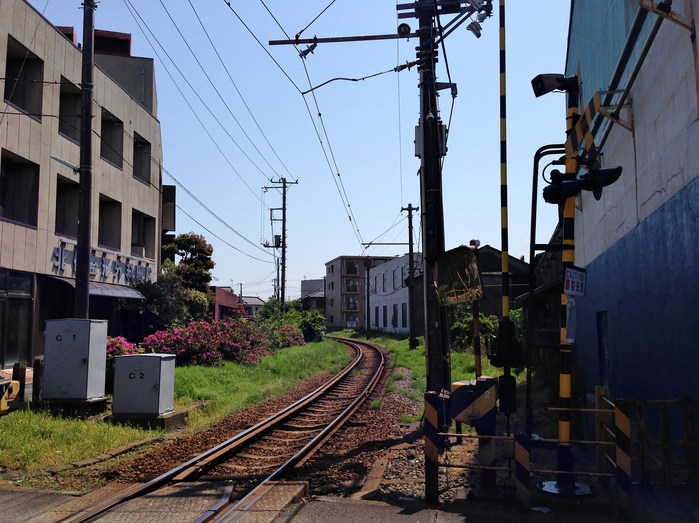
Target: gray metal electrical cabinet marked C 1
75,359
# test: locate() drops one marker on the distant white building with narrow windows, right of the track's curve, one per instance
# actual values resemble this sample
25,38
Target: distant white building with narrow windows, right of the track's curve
388,299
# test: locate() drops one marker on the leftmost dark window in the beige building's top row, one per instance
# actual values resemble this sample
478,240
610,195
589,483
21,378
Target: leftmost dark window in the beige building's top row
24,75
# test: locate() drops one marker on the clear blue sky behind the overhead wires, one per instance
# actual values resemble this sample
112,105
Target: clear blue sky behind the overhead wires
365,133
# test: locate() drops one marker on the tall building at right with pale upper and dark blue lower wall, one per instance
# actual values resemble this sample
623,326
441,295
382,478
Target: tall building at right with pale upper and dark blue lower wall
639,243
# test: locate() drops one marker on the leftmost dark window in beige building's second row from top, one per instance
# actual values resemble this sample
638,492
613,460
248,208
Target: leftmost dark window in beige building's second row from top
19,189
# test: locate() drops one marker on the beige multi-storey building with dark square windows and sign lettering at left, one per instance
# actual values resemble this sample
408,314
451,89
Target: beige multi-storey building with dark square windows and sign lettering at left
40,75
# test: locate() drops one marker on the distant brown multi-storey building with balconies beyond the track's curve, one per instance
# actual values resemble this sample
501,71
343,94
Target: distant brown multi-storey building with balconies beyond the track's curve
345,291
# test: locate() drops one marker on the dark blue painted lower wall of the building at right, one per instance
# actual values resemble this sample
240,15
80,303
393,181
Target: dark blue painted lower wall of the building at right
648,283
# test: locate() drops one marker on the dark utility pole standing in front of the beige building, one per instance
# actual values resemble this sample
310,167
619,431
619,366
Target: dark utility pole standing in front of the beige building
84,249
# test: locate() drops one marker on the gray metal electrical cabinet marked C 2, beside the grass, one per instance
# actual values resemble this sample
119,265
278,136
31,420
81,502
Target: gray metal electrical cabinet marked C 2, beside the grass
144,384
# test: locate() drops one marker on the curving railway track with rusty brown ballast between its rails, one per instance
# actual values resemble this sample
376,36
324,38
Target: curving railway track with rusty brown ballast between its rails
269,450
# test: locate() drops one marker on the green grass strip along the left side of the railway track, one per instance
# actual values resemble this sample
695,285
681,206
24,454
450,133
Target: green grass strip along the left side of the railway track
29,440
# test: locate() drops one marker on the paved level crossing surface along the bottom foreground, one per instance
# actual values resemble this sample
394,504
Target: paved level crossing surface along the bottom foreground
289,503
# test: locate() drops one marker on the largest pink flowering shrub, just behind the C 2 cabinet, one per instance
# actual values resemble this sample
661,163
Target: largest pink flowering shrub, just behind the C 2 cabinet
210,343
